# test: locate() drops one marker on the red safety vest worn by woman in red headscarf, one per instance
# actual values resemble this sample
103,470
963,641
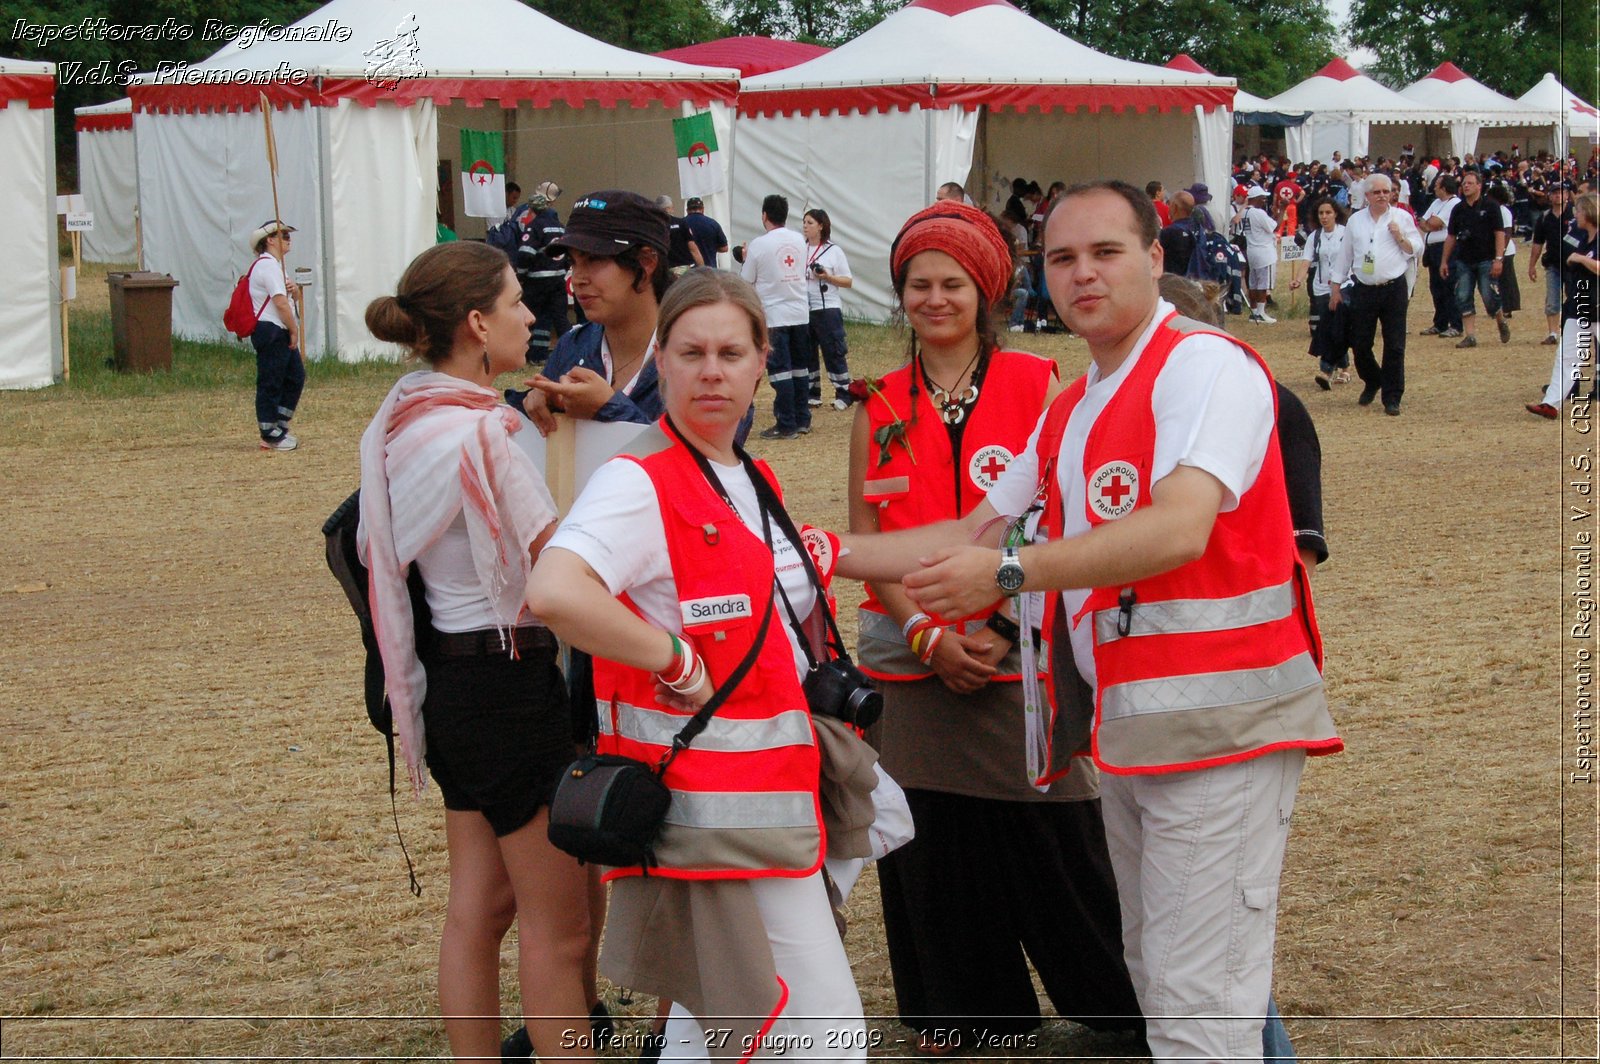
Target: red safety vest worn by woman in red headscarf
940,487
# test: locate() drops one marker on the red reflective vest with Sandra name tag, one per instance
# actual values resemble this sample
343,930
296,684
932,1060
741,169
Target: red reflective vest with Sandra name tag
745,796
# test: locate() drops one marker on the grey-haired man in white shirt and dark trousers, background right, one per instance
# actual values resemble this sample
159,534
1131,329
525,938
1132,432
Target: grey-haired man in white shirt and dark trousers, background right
1380,244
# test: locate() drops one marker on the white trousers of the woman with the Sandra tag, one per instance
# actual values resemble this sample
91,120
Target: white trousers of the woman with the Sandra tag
823,1018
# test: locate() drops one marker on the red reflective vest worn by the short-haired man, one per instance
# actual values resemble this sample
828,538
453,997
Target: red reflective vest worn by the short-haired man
1218,660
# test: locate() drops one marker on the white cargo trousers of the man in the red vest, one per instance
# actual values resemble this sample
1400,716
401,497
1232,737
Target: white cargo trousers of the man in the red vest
1198,858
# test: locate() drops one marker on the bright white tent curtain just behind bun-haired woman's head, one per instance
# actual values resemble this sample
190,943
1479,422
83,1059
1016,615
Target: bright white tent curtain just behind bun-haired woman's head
382,186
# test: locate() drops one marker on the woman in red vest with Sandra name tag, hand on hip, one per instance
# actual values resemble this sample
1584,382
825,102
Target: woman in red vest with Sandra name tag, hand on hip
673,569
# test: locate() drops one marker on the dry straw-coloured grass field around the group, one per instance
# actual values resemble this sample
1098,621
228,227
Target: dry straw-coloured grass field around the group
196,844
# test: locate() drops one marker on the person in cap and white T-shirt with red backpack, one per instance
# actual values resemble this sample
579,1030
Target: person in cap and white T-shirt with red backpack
281,374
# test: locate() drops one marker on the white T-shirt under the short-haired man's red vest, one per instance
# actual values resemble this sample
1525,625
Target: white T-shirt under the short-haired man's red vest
1214,410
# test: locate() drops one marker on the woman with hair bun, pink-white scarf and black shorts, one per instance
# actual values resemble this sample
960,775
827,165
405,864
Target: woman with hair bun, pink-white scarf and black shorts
478,698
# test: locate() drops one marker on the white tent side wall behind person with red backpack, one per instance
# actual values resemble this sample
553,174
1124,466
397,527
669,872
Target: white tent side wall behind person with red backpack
206,186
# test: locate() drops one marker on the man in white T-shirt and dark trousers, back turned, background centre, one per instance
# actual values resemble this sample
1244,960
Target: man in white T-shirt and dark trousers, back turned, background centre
775,263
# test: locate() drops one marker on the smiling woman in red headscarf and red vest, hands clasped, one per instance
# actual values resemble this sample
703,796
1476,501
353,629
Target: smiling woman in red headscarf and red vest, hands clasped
999,871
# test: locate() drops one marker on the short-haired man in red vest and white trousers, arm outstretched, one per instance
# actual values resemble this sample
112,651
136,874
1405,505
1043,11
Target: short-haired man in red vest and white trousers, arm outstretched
1185,655
